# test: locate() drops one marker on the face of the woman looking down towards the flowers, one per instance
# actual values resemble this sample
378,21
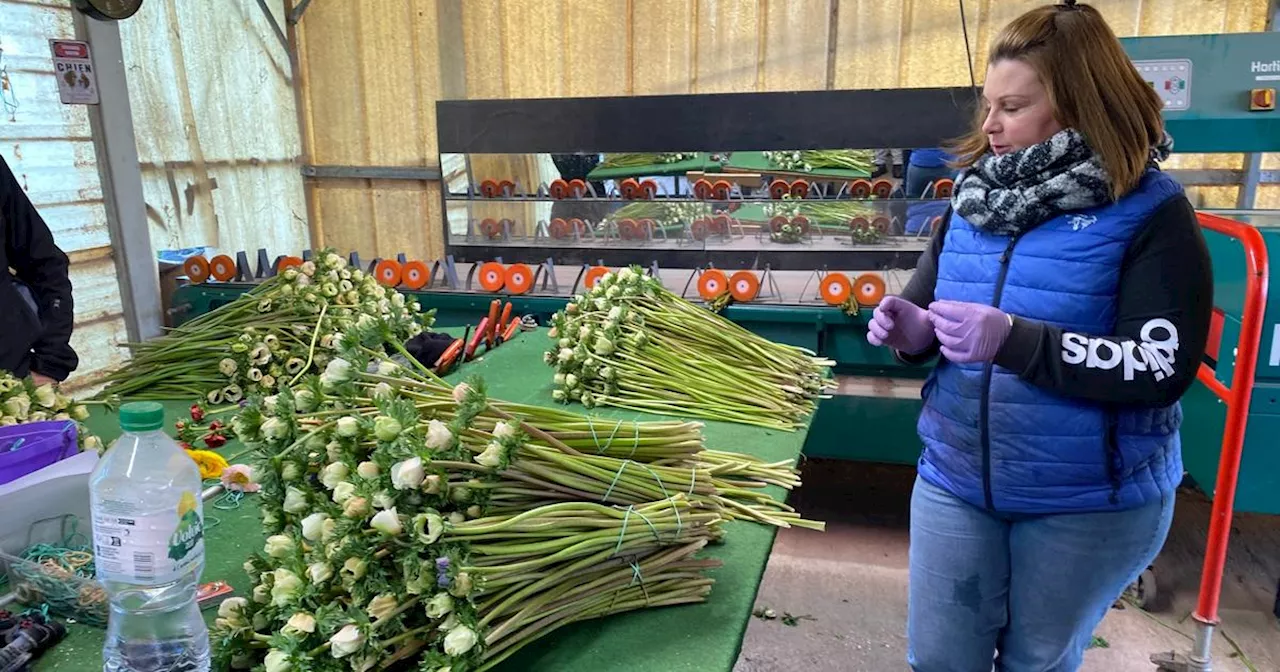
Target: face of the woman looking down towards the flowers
1018,109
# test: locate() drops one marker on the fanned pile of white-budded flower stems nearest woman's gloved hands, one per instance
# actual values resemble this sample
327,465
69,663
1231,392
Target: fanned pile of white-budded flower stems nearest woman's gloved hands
633,344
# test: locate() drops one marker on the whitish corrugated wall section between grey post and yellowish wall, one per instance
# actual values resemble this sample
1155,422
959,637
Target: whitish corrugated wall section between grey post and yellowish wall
217,127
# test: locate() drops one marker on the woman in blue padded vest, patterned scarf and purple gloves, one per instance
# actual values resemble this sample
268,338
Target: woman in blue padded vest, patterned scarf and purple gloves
1069,295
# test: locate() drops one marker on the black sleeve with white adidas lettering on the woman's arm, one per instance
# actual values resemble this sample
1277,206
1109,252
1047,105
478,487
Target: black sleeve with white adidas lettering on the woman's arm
1163,322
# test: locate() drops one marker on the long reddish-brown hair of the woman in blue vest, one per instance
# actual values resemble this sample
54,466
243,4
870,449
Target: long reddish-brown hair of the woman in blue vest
1092,88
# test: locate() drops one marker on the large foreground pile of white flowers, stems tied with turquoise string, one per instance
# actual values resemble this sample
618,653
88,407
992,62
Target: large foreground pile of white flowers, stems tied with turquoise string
415,520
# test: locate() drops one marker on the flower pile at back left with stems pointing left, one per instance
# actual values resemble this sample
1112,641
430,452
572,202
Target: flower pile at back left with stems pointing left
268,337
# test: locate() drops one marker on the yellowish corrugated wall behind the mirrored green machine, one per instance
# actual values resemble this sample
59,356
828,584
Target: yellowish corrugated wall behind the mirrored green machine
373,71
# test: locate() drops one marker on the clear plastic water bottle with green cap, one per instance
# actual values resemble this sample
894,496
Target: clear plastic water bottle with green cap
149,548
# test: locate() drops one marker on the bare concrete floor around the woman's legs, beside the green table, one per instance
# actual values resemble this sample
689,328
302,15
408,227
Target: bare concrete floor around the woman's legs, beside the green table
851,586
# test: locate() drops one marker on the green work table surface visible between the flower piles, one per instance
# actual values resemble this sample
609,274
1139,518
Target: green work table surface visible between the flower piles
700,638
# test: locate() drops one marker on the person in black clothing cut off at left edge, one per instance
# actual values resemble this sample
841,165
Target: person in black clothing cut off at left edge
36,296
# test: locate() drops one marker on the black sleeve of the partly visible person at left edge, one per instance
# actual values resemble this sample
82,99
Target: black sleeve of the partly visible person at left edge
39,263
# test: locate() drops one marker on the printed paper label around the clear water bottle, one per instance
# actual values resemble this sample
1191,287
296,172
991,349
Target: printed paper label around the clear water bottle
156,548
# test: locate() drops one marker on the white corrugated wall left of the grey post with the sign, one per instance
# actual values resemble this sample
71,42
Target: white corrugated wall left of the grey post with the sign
51,149
